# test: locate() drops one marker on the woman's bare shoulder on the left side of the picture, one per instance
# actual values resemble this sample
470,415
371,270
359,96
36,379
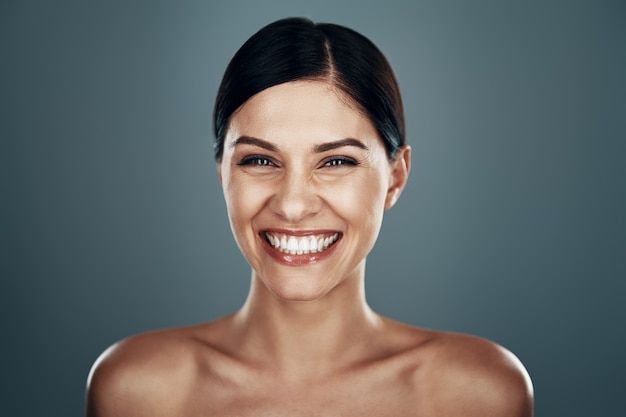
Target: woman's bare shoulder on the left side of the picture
145,374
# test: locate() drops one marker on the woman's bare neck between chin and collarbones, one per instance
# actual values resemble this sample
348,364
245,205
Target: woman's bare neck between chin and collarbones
300,338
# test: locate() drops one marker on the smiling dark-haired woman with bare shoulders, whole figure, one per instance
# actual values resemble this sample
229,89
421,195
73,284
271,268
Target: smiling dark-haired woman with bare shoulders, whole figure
311,151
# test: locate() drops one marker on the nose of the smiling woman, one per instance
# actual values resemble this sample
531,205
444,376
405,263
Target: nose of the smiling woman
296,198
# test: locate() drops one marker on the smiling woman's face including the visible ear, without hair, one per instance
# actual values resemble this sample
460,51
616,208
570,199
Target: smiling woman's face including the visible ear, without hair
306,181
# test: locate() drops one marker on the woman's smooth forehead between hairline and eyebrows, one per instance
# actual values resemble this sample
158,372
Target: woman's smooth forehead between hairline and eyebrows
309,111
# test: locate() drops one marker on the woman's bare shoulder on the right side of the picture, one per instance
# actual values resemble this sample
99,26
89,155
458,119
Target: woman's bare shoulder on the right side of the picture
470,376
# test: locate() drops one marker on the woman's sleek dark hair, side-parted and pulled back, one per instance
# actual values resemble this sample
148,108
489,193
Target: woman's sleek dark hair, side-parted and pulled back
295,49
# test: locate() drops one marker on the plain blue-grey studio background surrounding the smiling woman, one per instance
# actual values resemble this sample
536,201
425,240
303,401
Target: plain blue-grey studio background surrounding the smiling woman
512,226
